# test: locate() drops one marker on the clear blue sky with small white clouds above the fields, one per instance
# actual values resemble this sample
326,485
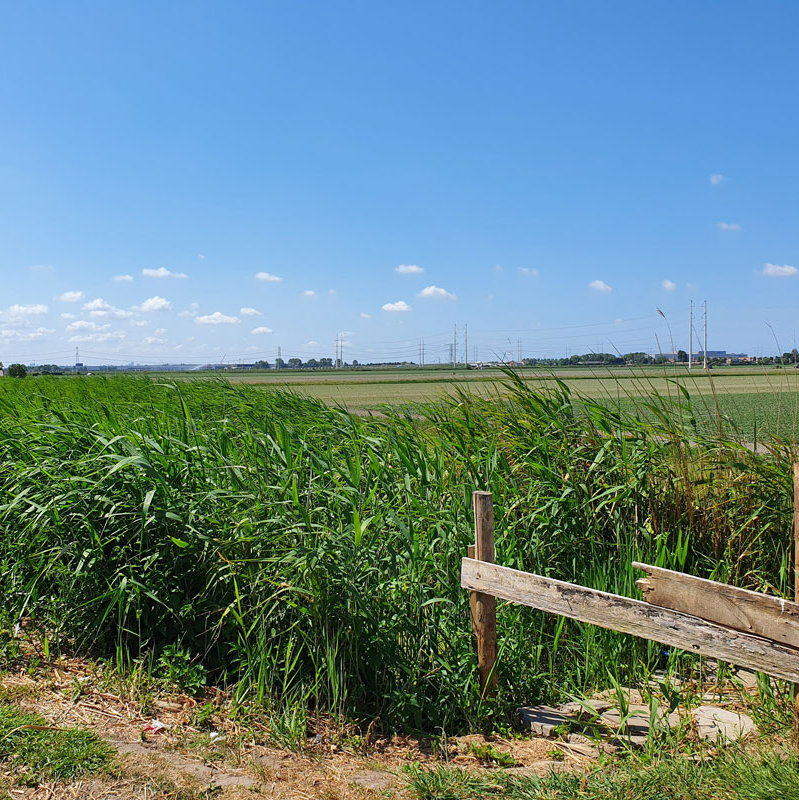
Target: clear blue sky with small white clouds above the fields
555,172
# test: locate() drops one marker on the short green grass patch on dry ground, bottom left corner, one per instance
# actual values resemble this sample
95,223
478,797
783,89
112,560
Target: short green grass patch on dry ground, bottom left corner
46,752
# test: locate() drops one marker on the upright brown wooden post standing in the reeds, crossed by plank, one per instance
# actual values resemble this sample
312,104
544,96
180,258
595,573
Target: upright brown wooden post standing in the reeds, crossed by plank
484,606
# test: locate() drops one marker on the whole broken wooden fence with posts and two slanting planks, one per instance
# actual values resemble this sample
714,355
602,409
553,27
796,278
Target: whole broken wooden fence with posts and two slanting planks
749,629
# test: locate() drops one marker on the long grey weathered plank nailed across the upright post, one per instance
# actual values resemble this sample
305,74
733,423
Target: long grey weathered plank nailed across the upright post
632,616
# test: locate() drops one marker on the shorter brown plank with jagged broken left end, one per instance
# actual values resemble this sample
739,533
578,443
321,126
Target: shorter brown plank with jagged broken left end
752,612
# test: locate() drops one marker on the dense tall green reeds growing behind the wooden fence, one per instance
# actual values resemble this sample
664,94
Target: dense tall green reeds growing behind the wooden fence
311,558
